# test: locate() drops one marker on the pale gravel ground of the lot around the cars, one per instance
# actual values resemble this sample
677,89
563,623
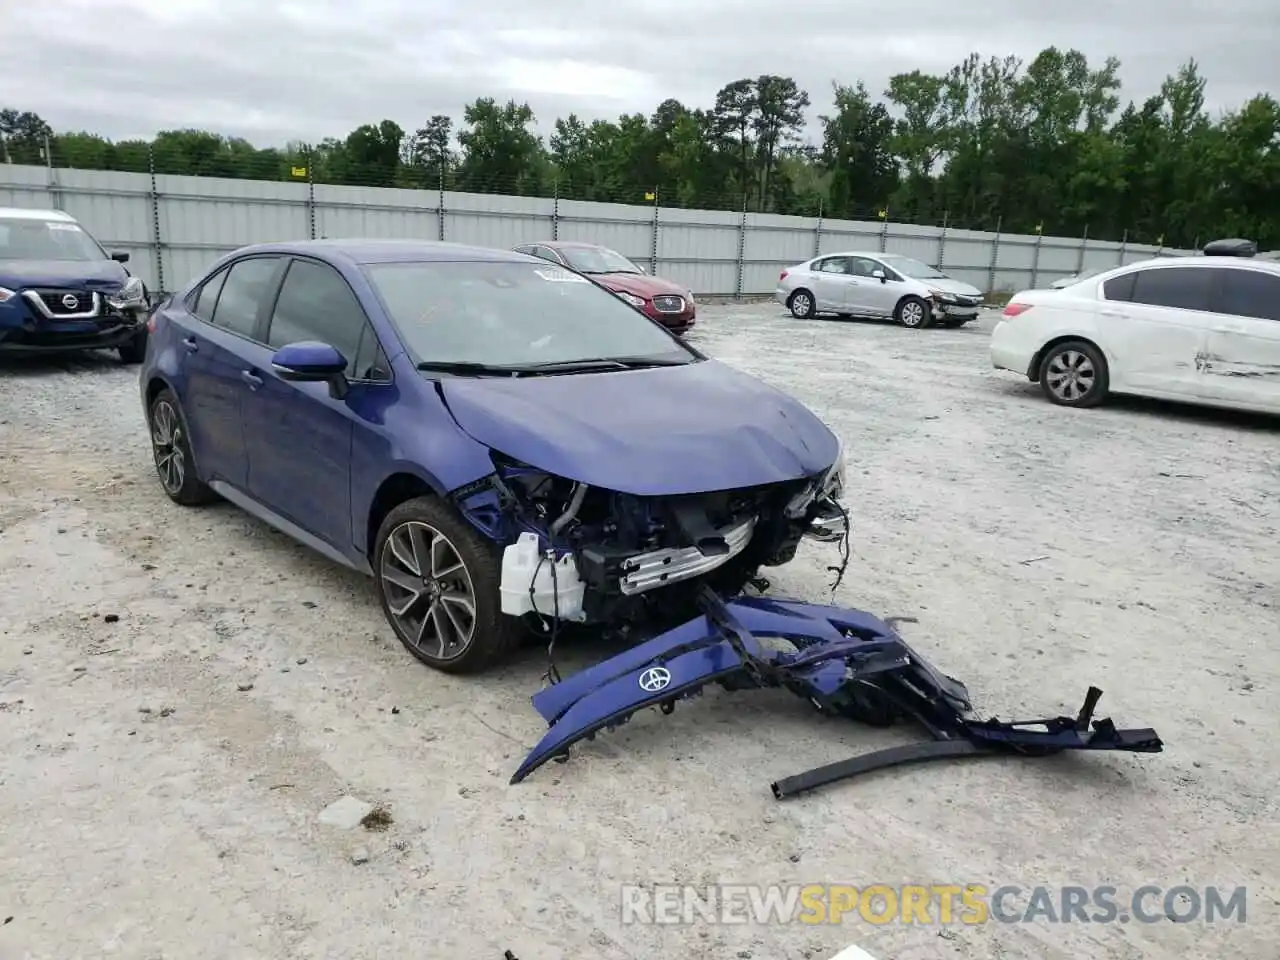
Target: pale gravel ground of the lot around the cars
184,692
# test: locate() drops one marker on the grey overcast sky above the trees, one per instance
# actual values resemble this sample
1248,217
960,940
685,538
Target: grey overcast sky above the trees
289,70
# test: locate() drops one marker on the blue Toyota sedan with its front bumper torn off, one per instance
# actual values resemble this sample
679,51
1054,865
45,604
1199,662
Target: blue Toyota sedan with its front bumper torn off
501,444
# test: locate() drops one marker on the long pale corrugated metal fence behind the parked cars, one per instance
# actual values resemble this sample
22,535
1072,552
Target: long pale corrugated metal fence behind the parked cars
175,227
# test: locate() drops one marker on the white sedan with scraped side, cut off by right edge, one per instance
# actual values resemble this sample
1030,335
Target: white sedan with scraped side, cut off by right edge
1200,330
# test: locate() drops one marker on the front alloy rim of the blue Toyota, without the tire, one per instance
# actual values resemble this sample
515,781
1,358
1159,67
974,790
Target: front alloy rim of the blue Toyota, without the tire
429,591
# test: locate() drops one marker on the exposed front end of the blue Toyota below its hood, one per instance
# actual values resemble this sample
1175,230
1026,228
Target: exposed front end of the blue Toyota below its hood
577,554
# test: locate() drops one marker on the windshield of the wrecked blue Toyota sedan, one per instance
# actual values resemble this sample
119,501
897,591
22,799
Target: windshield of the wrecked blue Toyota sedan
502,314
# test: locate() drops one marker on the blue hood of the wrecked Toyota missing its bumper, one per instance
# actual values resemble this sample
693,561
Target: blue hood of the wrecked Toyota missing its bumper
660,432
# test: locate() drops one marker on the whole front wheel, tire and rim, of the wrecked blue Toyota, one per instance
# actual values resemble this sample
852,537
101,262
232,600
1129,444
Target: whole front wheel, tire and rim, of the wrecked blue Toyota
487,636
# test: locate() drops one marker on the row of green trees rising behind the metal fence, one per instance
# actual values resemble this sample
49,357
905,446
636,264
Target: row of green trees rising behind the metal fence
993,144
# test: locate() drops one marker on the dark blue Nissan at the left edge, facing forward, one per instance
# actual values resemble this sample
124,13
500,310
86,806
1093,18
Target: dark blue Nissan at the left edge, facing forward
61,291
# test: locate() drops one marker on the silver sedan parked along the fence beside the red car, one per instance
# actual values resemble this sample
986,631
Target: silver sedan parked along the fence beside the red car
877,286
